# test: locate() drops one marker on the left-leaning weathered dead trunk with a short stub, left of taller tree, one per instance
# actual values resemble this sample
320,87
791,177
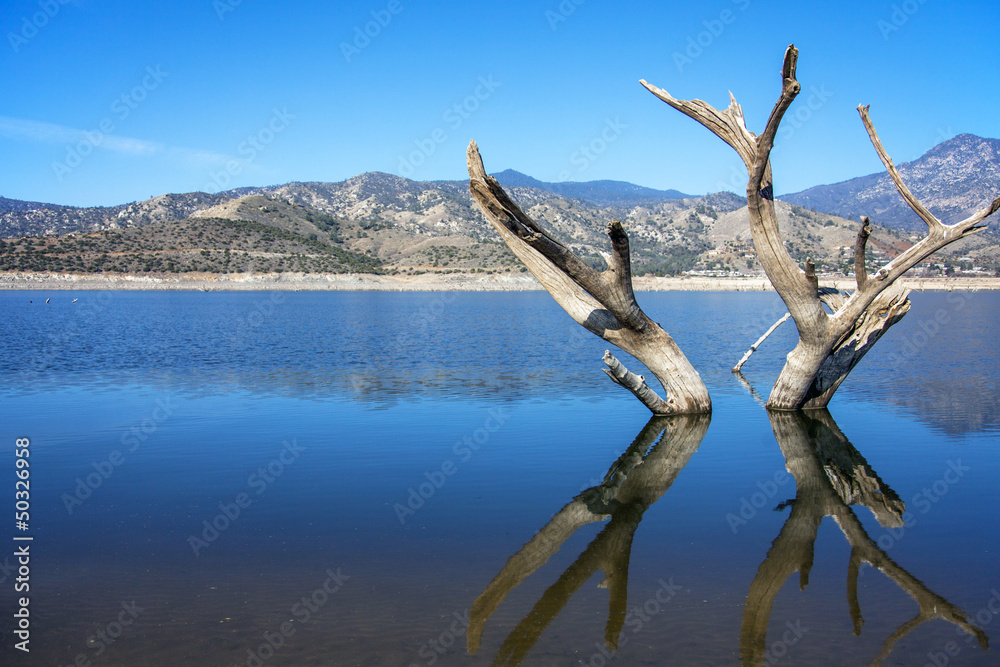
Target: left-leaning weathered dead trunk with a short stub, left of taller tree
601,301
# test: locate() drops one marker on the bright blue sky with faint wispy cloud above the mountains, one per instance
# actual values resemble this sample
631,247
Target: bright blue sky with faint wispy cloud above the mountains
109,102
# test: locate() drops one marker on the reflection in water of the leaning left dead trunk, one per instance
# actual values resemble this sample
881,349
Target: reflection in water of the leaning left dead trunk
637,479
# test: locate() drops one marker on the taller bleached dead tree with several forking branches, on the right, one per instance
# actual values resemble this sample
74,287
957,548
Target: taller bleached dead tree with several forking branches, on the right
830,345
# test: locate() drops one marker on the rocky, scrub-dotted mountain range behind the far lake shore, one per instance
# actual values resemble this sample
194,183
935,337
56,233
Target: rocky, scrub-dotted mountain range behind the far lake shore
382,222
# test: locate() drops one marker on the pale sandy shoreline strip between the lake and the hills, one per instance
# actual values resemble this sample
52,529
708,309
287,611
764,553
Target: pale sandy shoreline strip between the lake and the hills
427,282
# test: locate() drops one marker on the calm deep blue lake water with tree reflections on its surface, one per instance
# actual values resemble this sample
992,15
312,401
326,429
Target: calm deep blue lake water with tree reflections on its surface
449,478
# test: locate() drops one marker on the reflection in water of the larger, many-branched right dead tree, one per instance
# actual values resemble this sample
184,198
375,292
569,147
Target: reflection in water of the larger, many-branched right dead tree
830,475
